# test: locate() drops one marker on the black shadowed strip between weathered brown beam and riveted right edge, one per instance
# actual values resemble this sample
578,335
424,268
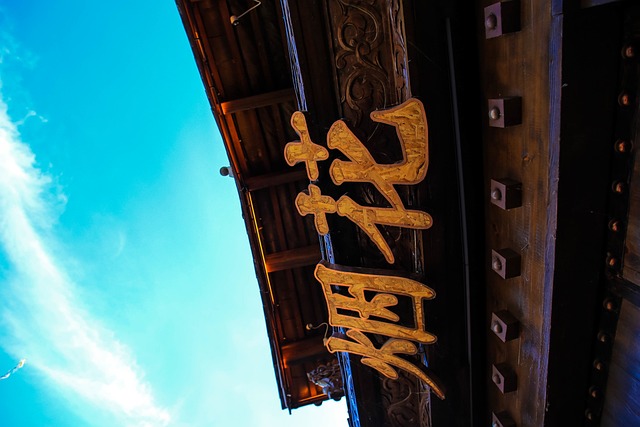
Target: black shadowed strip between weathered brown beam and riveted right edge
585,150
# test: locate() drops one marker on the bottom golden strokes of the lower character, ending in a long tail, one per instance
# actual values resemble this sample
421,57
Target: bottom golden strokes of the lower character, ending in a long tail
384,359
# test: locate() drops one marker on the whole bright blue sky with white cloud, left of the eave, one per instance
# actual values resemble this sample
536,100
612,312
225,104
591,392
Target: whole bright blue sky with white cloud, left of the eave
125,274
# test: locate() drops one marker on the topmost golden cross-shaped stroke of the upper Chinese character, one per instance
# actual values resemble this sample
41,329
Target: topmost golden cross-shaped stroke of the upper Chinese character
304,150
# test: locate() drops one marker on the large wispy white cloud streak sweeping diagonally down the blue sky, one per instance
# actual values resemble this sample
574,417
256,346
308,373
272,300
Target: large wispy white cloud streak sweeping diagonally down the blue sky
43,320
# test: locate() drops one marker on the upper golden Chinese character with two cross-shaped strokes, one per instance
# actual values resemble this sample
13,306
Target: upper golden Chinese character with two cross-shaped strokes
410,122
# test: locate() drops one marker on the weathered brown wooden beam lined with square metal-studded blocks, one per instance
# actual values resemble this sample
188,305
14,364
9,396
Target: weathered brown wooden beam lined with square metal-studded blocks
522,64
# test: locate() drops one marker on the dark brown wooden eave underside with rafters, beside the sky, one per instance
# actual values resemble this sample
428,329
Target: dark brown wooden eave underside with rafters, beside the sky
246,73
